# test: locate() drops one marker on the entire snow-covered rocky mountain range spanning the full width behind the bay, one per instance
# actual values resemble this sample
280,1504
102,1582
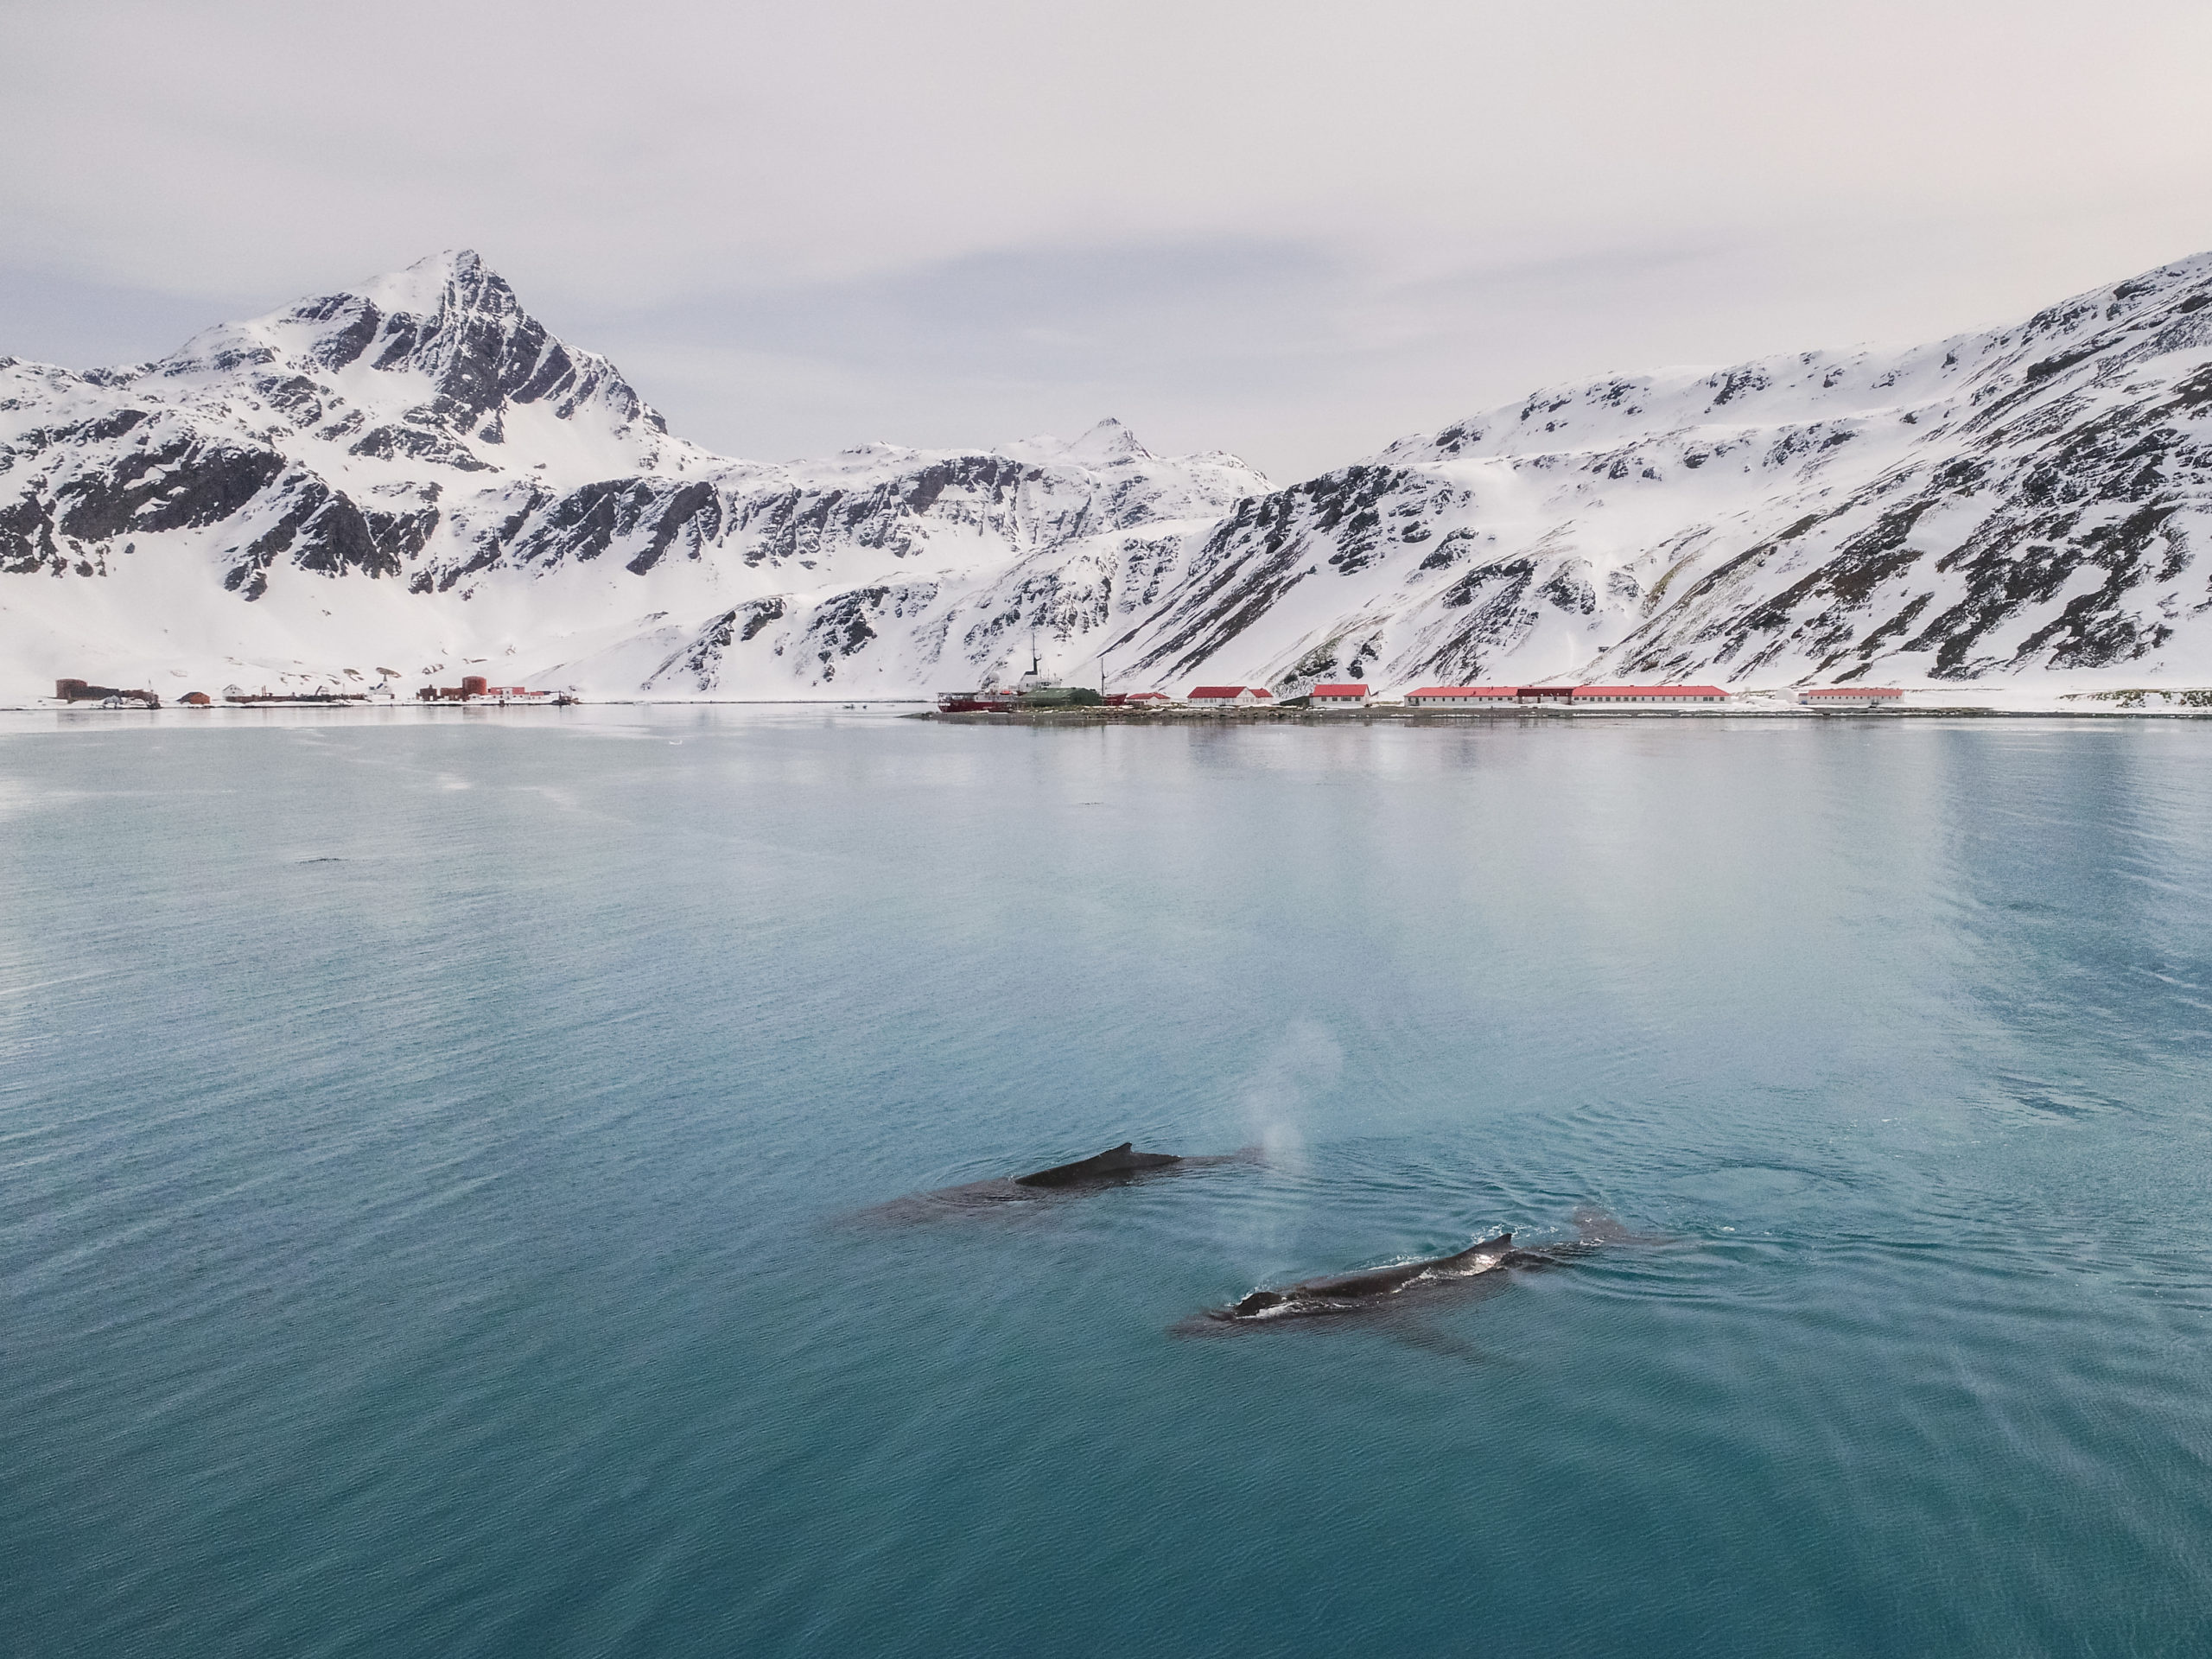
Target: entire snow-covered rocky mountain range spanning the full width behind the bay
415,479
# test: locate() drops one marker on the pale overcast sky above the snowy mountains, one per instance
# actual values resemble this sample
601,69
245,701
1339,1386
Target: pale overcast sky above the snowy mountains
1293,231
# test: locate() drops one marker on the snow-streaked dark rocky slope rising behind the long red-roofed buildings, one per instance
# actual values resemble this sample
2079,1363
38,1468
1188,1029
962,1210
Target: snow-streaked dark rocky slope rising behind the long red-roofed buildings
1999,505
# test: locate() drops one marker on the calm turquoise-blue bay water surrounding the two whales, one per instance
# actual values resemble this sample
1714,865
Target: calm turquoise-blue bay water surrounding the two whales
432,1156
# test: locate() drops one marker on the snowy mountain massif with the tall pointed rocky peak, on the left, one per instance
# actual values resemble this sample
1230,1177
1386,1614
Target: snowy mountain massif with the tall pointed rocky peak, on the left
417,479
